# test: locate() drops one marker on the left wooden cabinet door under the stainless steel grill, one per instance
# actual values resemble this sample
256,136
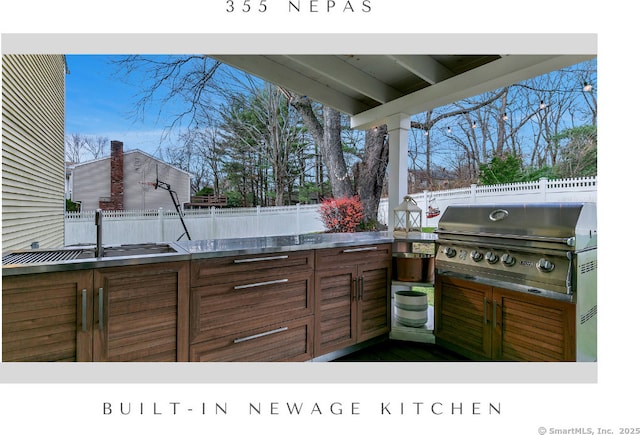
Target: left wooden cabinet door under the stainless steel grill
464,316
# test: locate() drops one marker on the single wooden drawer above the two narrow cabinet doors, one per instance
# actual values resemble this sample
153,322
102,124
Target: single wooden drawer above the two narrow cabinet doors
350,255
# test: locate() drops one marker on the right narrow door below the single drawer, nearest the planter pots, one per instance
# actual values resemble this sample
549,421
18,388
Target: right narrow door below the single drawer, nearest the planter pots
374,300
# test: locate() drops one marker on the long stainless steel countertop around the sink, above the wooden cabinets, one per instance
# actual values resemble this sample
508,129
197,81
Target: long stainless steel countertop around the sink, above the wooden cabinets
199,249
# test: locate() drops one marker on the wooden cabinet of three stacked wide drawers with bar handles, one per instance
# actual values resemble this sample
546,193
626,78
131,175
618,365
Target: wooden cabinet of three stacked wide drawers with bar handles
252,307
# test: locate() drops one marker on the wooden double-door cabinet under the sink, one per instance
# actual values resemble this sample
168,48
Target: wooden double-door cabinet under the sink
127,313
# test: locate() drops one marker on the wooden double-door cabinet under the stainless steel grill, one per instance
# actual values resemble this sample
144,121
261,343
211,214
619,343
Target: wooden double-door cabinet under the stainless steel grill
491,323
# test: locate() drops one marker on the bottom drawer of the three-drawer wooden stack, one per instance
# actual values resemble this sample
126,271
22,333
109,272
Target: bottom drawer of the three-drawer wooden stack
286,341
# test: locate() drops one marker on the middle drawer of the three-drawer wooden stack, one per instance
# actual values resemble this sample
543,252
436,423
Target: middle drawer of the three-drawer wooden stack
228,308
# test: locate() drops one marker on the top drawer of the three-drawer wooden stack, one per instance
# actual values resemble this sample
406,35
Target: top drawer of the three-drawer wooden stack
217,270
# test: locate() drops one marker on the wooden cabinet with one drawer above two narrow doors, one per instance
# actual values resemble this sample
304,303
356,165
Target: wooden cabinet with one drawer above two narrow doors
352,296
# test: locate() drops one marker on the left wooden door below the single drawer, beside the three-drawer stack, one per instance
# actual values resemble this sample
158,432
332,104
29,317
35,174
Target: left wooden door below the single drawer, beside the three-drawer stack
335,309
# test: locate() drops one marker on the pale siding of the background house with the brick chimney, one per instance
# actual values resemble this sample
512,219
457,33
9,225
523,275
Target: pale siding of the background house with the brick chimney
91,181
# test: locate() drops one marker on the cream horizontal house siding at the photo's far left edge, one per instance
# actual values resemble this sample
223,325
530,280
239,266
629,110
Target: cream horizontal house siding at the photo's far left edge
33,97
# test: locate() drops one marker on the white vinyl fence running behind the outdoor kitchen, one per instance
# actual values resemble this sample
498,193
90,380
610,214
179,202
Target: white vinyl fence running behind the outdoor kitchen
165,226
